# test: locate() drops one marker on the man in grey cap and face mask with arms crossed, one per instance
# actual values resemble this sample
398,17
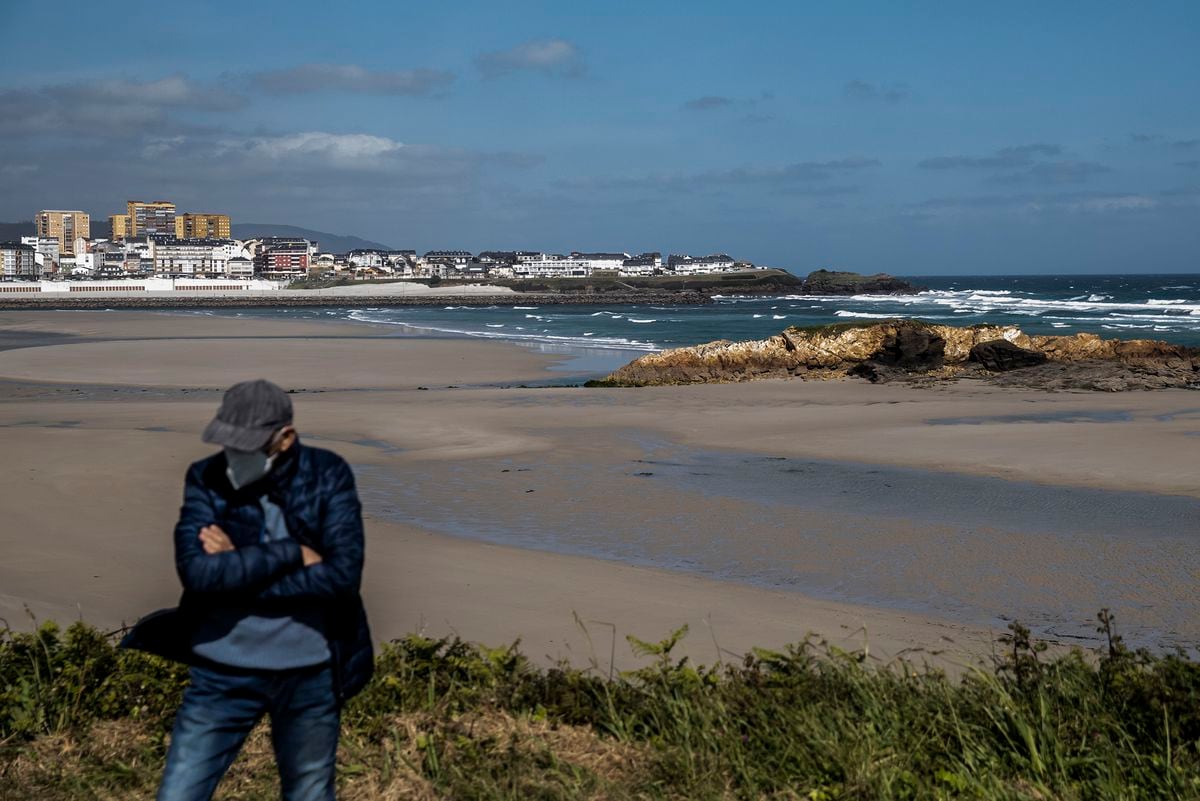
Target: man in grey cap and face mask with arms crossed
269,550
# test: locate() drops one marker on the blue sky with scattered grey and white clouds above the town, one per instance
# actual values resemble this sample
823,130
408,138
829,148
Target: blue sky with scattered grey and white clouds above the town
913,138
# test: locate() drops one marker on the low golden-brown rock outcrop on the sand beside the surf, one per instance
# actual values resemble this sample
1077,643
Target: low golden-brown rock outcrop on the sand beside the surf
922,353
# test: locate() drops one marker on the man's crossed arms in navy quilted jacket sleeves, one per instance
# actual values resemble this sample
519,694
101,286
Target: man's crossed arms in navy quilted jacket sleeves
208,562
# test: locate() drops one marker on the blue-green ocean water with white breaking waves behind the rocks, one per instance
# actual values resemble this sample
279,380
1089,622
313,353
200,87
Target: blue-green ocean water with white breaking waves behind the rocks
1160,308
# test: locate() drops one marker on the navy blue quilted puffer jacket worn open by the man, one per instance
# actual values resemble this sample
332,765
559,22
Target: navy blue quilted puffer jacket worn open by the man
316,491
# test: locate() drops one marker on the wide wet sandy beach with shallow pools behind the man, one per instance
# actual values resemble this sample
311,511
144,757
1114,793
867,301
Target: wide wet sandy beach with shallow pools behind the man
500,513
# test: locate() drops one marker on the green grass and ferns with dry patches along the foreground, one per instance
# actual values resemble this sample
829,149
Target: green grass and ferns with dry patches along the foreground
445,719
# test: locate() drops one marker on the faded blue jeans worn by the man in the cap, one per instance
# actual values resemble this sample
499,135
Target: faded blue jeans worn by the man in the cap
223,706
